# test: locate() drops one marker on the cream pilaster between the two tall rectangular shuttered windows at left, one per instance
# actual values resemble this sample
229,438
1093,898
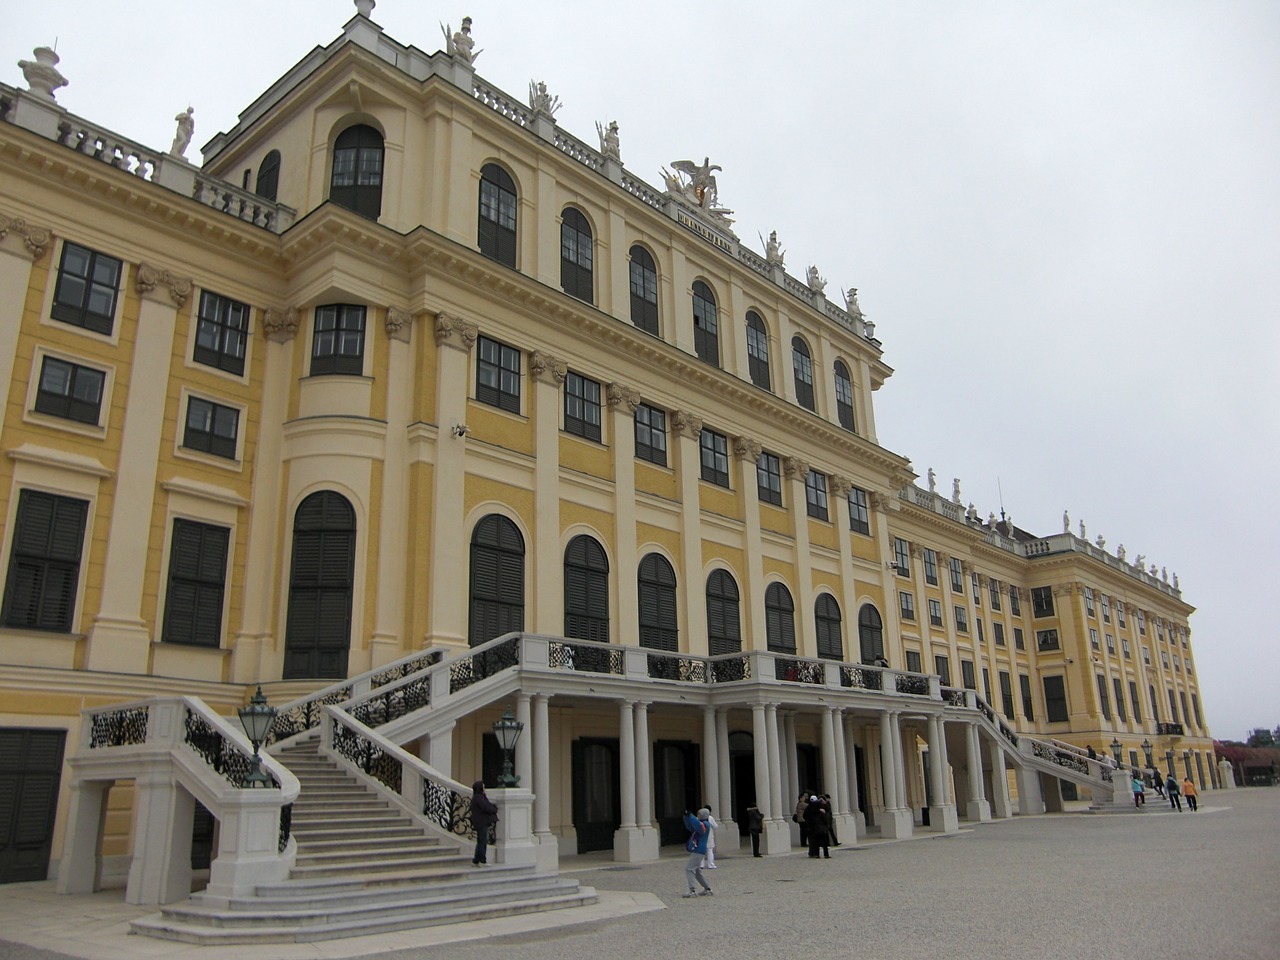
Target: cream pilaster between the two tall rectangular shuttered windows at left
120,642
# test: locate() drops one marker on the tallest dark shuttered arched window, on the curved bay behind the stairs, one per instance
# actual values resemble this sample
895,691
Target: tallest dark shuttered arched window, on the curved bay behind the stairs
322,575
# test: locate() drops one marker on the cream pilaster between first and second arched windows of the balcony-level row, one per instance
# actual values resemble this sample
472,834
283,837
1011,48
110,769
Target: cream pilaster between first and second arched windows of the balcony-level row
548,569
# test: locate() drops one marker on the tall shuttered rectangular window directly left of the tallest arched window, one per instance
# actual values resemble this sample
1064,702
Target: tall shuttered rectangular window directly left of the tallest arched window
198,578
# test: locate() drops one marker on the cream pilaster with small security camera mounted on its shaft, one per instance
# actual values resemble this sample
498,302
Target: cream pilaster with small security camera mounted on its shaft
455,340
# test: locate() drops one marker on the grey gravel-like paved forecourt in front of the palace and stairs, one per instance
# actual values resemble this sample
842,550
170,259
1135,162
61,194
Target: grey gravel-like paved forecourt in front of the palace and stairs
1201,886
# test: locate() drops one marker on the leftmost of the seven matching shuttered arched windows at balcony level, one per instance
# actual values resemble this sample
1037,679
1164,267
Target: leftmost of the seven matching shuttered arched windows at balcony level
497,580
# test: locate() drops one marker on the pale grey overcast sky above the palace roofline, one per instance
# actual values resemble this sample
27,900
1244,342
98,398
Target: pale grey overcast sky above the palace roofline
1063,218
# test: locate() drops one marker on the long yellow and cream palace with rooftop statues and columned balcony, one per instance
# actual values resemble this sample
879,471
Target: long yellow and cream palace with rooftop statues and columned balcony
412,408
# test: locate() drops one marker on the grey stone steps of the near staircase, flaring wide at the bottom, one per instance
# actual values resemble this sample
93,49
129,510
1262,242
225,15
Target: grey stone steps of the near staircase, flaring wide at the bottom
363,867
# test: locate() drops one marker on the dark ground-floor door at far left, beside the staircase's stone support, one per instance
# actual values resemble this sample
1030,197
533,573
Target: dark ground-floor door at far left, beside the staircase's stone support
31,766
